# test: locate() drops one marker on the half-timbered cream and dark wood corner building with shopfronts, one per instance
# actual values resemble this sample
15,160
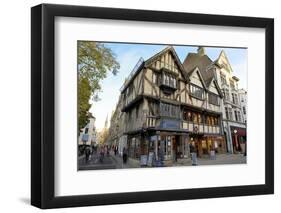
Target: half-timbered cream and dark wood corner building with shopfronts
167,108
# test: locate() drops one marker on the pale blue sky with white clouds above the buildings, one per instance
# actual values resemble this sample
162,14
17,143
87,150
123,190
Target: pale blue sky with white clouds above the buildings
128,55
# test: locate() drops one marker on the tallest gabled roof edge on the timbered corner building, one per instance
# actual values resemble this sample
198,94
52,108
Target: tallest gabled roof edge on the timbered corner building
162,52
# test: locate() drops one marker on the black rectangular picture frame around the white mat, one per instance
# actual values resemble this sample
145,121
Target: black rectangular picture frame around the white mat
43,102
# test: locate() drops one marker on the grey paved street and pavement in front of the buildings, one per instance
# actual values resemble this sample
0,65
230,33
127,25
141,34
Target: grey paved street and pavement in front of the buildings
116,162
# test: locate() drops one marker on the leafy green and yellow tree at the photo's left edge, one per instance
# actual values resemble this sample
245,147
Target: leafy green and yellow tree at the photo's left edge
95,60
